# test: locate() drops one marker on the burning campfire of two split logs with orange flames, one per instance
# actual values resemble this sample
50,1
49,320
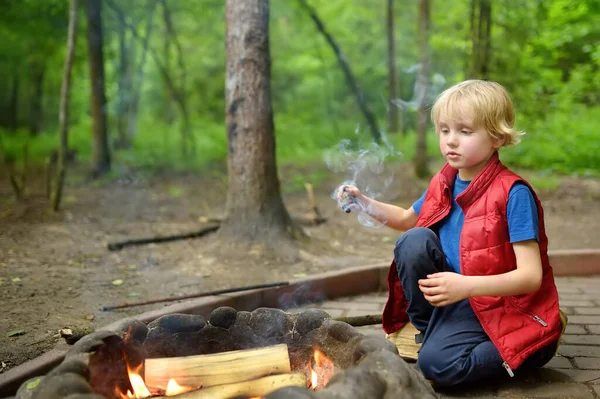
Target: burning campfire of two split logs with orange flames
225,375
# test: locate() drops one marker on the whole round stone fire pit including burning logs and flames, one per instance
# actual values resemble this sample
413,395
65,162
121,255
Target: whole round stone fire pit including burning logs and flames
266,353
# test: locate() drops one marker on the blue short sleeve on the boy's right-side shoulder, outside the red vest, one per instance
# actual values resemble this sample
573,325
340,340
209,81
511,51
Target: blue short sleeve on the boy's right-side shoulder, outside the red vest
522,214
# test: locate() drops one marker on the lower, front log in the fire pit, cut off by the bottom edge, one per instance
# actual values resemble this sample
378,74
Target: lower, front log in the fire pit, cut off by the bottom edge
259,387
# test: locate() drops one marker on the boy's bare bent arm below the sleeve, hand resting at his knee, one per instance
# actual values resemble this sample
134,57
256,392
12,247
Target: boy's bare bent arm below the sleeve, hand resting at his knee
442,289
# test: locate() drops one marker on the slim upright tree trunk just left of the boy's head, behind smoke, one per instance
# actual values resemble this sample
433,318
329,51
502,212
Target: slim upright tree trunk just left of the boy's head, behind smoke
421,163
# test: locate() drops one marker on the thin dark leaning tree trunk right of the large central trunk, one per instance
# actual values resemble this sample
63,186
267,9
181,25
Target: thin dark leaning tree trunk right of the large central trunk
369,116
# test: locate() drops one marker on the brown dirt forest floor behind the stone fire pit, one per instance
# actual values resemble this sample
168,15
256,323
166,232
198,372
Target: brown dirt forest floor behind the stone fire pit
56,272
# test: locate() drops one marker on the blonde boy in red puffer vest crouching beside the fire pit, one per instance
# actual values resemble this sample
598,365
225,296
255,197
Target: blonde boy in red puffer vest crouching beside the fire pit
472,272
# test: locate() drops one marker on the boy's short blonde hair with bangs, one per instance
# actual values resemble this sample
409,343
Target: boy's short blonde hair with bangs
489,103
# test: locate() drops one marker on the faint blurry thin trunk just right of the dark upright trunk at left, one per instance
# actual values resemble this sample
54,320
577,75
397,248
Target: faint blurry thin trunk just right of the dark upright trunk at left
123,140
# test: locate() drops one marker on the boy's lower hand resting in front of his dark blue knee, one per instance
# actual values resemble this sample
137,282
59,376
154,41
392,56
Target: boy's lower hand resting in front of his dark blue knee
441,289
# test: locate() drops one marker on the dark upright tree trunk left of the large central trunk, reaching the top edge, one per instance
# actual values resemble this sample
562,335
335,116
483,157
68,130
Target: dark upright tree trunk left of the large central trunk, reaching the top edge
100,149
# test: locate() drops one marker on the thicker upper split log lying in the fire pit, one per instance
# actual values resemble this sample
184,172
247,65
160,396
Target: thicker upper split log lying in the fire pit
217,369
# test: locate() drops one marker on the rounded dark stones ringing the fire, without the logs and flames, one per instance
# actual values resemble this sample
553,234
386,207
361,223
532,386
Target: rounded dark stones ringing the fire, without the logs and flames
367,367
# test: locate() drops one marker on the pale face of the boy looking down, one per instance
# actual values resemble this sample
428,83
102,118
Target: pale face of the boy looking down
465,146
